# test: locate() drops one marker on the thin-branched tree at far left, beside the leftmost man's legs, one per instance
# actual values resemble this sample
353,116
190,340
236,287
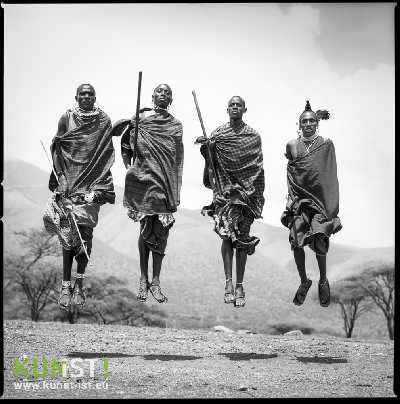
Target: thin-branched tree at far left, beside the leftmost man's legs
32,272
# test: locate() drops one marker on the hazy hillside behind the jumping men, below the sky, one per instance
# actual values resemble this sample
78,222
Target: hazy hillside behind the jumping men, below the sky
192,274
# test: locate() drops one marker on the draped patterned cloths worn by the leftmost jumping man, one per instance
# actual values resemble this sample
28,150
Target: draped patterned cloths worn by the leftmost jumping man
86,152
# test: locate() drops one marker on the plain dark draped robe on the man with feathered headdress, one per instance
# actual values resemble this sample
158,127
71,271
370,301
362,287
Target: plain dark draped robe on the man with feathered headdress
313,198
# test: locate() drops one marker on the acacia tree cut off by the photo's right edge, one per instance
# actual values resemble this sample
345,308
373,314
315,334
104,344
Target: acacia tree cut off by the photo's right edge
378,283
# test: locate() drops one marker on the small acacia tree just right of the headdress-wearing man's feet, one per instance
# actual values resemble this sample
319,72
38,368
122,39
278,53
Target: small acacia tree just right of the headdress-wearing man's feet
353,302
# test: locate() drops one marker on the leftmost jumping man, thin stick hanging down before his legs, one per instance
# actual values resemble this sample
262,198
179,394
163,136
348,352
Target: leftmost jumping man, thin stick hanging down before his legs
83,153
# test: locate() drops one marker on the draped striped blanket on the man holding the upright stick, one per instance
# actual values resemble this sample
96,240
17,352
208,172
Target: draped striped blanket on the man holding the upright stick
153,182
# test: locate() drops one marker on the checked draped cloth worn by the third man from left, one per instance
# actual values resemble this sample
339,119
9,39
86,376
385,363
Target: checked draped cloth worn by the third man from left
238,161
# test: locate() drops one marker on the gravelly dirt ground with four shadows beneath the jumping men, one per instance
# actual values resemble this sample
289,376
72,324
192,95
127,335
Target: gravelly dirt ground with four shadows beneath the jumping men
173,363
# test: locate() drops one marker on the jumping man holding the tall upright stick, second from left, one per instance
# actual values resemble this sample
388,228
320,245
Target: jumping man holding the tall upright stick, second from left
154,163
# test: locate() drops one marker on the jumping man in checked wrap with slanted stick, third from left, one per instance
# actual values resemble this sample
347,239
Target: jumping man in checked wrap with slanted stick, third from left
236,176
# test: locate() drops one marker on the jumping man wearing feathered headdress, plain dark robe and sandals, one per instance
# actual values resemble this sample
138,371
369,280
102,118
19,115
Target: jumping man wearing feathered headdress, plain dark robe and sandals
313,199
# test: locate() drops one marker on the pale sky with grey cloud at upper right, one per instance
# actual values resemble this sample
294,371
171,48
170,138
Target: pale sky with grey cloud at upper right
276,56
